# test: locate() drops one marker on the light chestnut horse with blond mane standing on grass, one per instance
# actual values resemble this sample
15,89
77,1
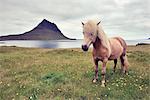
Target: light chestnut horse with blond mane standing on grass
104,49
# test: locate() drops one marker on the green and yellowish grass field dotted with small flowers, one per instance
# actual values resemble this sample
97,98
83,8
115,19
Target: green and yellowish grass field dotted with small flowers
58,74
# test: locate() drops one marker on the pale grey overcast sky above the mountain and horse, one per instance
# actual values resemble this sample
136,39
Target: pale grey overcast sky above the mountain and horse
127,18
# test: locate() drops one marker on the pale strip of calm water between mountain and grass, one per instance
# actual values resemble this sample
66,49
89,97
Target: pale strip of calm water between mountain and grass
56,43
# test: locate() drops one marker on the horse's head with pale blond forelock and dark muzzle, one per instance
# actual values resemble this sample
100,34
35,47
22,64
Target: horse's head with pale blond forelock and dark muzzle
90,30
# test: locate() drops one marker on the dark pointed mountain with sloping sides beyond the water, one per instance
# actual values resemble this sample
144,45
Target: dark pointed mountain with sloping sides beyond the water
43,31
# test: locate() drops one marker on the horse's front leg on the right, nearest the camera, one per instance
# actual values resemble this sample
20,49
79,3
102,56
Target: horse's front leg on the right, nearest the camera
103,72
